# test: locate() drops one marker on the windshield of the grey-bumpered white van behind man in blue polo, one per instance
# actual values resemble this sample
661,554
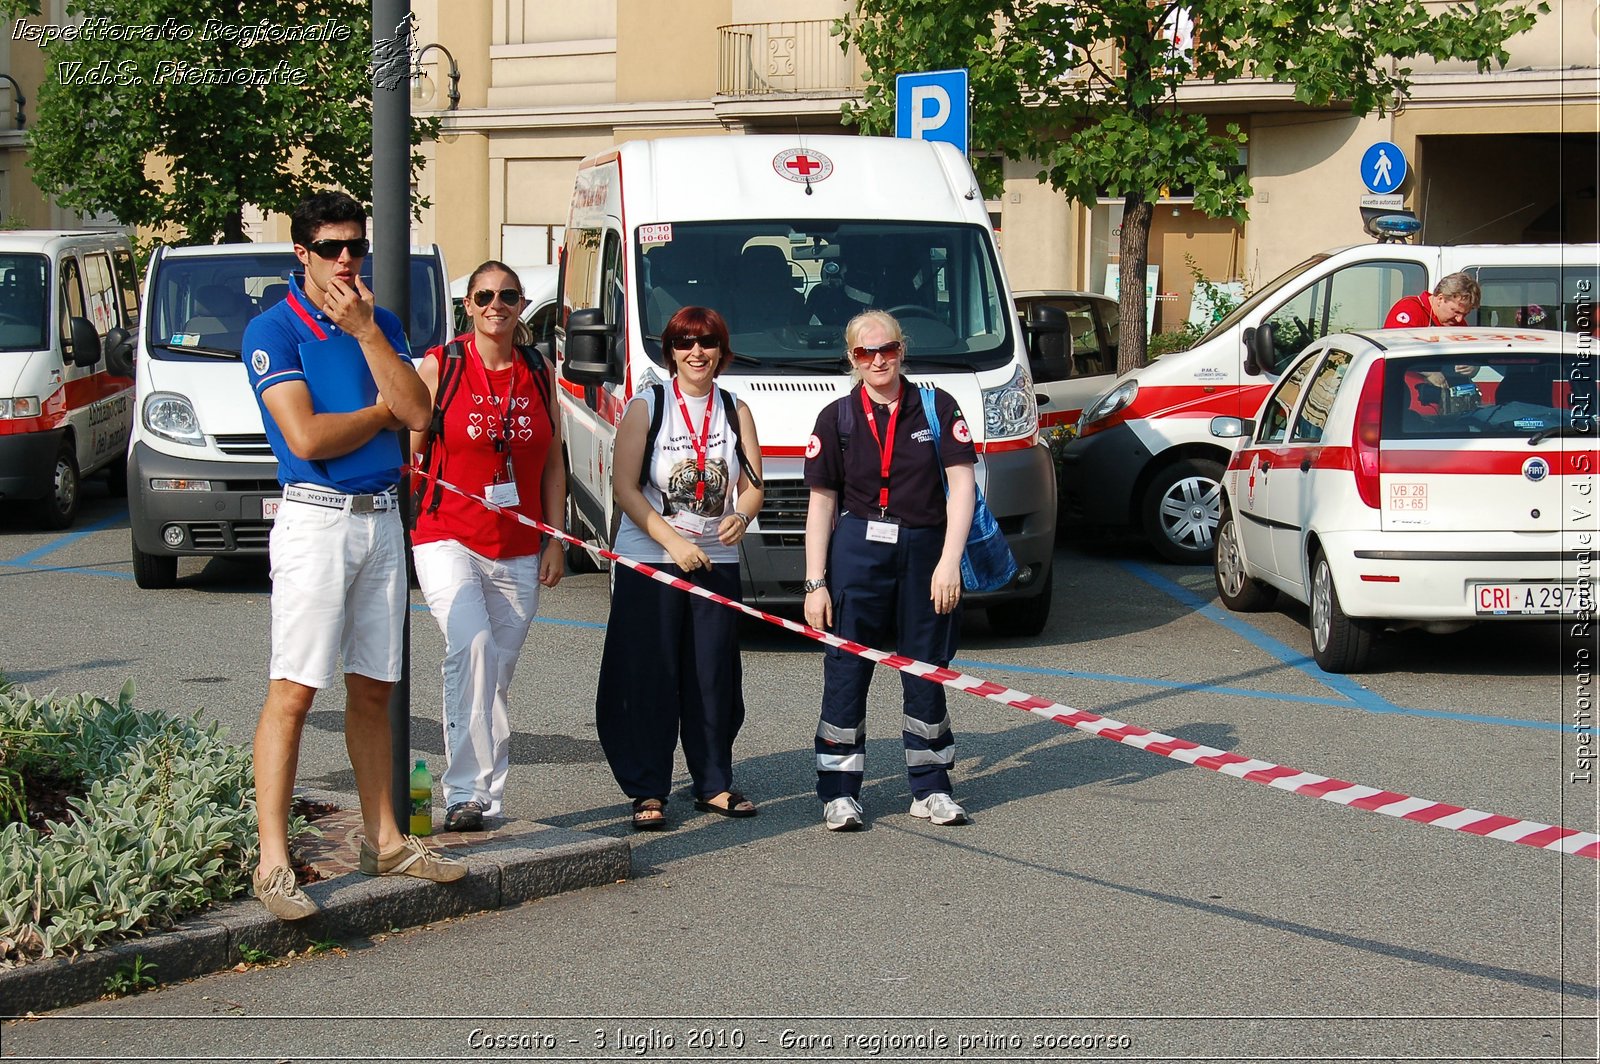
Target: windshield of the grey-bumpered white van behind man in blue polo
199,306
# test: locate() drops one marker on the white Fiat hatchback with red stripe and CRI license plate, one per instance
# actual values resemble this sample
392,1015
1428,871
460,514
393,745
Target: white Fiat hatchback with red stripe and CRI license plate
1417,479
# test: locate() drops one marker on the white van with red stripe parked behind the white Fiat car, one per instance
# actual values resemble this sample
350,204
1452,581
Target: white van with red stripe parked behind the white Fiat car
1145,457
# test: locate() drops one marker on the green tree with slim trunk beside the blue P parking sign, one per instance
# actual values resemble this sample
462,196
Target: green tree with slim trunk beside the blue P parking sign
1090,90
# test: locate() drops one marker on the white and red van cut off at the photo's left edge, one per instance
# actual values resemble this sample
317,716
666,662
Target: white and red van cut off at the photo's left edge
70,303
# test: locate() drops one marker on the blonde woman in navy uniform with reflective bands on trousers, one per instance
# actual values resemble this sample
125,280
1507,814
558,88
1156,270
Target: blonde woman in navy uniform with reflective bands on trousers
882,559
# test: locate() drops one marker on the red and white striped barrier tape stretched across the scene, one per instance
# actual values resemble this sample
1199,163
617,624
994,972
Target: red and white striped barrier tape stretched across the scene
1281,777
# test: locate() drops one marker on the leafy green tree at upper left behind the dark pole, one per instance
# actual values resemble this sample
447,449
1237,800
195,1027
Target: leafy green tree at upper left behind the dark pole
170,114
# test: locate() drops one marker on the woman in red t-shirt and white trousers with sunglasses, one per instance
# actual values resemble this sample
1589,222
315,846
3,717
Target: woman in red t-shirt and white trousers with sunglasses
482,572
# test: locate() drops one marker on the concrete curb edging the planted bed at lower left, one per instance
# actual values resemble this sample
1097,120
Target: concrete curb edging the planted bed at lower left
502,873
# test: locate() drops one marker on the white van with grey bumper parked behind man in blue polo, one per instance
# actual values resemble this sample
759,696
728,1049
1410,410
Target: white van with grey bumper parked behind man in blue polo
202,479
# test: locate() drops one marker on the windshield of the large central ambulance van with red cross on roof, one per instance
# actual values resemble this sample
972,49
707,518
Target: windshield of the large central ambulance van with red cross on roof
790,287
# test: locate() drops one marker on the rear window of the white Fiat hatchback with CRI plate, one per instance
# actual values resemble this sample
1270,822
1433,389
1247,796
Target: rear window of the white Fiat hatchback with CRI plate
1473,396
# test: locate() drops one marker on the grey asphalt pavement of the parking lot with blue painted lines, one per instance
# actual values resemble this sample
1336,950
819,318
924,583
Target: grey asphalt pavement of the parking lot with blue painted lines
1105,905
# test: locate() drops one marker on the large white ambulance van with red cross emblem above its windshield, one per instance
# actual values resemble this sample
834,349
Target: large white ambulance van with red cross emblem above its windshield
788,238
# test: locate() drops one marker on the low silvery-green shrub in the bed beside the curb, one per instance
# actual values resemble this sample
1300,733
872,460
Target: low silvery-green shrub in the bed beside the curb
166,823
